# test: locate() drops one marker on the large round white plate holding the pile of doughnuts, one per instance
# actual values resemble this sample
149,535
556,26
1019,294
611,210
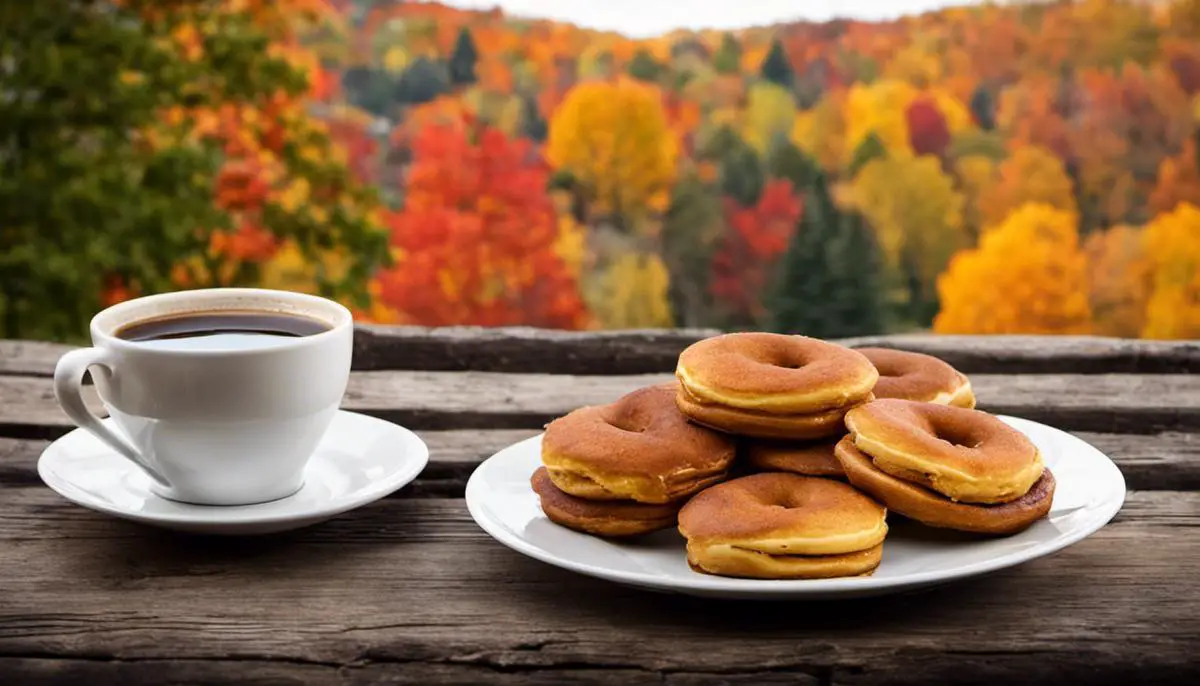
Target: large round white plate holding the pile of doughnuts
1090,492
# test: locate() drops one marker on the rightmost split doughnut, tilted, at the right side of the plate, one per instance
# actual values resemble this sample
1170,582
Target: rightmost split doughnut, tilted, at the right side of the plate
946,467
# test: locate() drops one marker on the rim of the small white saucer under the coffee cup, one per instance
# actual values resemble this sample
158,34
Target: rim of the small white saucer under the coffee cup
416,461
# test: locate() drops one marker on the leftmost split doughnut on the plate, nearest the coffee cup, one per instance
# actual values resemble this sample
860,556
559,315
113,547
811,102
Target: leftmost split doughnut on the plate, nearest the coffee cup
626,468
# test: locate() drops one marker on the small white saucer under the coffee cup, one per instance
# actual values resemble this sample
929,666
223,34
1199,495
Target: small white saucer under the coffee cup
361,460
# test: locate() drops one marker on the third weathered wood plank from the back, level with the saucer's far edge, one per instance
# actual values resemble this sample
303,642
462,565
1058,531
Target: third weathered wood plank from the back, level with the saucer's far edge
1166,461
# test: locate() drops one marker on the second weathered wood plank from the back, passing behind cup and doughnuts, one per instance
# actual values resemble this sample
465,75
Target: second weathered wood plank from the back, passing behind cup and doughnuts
1111,404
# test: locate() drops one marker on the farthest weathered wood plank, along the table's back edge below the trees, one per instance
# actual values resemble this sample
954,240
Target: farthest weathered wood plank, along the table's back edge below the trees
539,351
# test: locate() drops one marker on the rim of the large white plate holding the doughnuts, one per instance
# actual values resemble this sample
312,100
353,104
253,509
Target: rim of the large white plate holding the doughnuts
730,586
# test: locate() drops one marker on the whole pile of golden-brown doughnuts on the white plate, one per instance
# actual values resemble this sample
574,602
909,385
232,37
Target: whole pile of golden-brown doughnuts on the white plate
836,437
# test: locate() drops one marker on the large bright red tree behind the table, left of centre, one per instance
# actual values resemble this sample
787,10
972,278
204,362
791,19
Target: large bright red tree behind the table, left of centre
476,240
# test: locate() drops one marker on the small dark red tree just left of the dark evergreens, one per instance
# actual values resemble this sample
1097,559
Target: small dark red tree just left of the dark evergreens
747,254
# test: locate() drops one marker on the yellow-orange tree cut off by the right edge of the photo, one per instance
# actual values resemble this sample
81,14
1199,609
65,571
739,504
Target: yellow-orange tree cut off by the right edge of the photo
1172,243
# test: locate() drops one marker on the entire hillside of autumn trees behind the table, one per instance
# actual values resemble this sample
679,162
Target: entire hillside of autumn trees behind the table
1005,167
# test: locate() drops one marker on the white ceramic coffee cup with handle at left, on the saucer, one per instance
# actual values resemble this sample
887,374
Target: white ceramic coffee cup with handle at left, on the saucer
214,426
